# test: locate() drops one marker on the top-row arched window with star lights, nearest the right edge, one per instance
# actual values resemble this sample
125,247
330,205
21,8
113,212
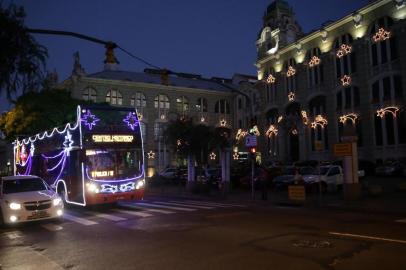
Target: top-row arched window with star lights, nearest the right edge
383,43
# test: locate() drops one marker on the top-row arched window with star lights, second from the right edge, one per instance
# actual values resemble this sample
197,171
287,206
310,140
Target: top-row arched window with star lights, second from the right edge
345,56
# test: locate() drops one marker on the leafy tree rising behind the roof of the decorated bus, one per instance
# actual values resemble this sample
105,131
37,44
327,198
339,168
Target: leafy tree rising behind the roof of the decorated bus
39,111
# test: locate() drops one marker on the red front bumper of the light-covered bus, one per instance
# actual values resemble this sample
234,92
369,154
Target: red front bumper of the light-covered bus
100,198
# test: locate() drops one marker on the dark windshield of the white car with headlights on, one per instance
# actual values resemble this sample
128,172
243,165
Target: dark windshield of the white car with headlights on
23,185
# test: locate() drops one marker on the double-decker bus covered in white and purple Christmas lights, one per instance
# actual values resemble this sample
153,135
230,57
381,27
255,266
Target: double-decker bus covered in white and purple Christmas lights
97,159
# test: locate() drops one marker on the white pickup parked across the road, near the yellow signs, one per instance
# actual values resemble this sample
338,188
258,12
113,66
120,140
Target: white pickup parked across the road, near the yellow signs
331,178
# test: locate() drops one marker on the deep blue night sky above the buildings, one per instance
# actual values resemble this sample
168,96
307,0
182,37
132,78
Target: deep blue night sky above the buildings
208,37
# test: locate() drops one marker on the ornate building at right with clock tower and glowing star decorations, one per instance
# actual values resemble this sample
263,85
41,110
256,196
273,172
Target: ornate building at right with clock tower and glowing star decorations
348,75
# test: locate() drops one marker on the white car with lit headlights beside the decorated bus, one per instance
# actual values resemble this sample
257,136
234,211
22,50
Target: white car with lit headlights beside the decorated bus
27,198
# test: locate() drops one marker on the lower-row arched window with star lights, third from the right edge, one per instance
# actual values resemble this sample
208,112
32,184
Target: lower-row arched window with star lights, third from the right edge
317,107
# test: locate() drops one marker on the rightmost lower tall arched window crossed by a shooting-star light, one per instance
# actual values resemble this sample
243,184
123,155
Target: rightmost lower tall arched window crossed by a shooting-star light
390,123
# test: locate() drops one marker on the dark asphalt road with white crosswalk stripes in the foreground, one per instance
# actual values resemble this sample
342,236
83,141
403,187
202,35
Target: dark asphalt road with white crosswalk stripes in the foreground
173,233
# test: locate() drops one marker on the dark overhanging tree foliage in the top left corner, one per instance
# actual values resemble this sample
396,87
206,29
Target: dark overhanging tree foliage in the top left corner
22,59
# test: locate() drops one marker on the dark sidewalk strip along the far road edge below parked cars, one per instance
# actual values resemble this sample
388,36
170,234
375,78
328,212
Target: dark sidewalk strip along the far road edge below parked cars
388,203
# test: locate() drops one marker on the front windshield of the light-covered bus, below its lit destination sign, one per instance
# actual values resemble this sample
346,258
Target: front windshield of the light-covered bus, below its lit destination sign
113,164
